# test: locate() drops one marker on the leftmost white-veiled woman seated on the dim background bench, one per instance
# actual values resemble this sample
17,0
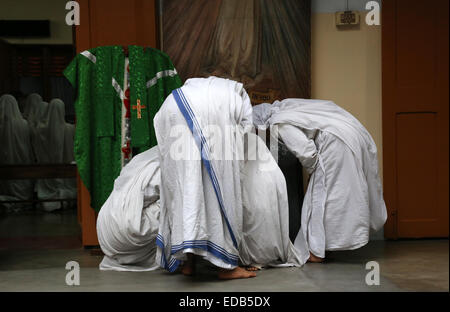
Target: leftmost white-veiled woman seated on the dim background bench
15,150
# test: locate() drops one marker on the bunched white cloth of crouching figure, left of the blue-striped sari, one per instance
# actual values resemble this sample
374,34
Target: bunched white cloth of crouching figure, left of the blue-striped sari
128,222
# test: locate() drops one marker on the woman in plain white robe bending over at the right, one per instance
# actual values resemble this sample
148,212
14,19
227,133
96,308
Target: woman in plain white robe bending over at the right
344,198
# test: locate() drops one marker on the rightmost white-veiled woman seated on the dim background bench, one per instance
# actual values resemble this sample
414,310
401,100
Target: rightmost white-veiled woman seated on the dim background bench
53,142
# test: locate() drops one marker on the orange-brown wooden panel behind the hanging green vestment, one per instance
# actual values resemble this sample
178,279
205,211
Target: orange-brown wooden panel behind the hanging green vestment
110,22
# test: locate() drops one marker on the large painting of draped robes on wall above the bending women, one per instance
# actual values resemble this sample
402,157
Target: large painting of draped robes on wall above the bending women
264,44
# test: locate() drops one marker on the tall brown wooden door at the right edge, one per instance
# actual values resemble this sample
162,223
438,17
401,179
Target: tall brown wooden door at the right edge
415,117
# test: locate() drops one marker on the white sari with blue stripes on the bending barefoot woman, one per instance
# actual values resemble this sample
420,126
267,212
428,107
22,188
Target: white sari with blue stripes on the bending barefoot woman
201,201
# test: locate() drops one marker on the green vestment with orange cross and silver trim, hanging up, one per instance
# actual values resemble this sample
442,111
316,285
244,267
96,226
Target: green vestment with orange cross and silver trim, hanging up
98,77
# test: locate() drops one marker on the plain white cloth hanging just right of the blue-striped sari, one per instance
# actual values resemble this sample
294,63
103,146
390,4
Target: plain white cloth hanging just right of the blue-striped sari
265,229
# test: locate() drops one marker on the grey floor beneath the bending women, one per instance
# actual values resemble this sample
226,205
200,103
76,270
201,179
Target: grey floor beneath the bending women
35,247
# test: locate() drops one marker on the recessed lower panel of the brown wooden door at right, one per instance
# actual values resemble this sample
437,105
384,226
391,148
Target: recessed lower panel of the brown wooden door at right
417,170
